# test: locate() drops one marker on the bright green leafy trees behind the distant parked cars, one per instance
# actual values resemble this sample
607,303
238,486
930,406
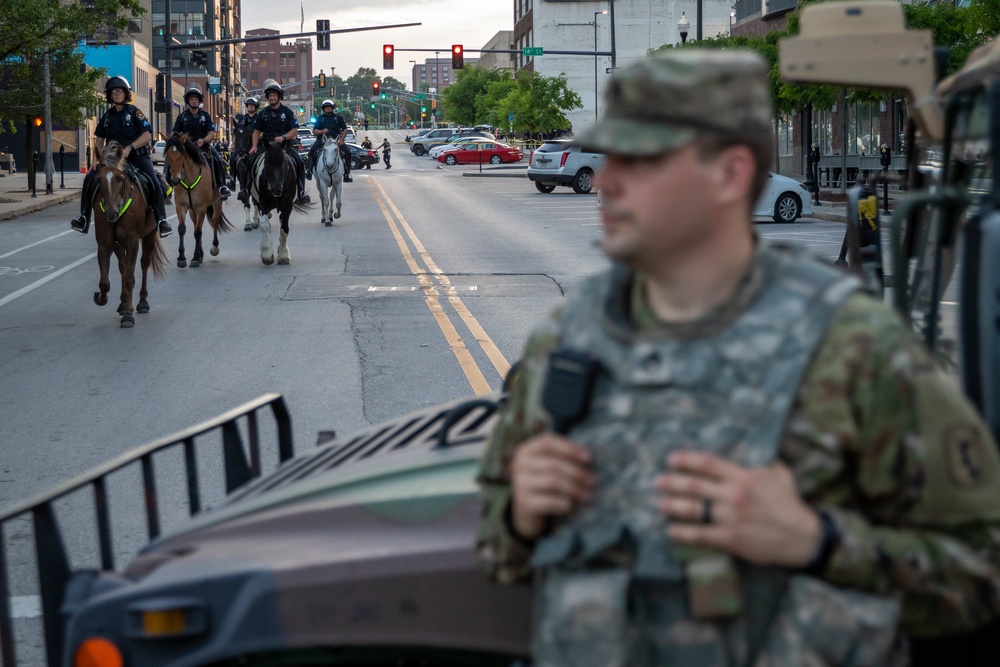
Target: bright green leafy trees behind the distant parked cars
537,102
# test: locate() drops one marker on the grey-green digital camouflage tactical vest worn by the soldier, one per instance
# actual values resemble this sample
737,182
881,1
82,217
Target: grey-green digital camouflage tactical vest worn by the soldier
612,588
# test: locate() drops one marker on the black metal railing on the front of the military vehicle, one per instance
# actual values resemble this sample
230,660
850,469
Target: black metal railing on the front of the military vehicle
51,557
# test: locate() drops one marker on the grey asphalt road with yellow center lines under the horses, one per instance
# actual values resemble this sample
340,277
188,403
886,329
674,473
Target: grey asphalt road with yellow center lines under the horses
424,291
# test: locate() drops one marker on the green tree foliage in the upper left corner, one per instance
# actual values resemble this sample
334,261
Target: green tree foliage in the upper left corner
30,28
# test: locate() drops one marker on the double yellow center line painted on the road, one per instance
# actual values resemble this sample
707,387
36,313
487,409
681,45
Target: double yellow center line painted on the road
434,289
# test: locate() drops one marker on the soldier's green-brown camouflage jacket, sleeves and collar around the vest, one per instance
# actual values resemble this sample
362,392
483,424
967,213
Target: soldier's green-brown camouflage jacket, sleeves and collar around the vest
877,436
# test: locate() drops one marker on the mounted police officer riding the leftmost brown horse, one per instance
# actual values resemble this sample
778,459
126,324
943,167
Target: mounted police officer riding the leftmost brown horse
123,122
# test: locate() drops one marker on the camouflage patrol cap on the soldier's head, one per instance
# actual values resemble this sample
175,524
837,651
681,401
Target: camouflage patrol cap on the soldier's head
666,101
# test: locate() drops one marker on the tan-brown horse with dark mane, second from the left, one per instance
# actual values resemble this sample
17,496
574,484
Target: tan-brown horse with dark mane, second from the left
195,192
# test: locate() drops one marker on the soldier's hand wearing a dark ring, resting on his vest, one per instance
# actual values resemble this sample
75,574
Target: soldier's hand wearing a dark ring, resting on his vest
755,514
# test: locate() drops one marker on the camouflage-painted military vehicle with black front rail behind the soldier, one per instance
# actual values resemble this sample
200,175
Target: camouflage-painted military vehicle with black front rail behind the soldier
360,551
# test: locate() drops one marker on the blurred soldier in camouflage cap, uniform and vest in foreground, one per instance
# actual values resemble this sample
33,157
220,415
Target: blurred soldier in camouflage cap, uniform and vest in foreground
770,469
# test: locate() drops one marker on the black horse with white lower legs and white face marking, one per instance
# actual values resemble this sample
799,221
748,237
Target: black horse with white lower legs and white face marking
274,186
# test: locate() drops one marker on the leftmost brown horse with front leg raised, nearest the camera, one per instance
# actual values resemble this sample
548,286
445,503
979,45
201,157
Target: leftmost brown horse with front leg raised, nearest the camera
121,220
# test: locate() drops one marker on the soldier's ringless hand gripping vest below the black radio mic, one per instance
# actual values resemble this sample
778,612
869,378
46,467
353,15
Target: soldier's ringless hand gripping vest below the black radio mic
549,477
